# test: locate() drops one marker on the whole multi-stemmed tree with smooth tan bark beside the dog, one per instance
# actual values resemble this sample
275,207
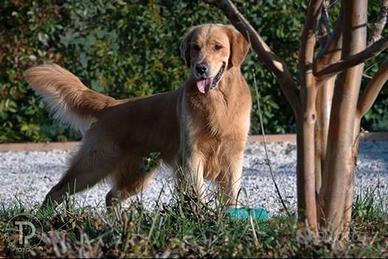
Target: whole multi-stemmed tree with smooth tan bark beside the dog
327,106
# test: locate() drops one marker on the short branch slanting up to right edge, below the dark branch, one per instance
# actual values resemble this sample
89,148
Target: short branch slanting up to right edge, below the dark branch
372,90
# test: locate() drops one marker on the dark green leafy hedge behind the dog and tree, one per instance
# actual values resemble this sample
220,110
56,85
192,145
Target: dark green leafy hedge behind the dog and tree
130,49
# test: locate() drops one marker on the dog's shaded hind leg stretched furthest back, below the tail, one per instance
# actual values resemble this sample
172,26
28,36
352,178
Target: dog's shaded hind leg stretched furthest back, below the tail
86,169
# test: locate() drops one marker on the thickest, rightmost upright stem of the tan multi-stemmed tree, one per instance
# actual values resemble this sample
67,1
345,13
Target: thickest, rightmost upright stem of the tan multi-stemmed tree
339,162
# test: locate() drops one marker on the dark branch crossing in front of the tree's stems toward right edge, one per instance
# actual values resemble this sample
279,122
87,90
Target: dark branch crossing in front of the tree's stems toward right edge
353,60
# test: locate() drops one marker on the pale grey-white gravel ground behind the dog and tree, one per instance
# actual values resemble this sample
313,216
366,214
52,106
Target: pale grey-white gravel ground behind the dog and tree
27,176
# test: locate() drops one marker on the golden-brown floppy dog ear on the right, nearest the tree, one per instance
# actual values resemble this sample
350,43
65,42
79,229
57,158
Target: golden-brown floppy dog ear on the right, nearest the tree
239,46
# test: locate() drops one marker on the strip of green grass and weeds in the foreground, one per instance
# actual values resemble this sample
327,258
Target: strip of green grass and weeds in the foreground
185,229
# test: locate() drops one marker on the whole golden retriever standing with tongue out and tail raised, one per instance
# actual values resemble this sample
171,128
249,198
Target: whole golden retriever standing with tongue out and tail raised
203,126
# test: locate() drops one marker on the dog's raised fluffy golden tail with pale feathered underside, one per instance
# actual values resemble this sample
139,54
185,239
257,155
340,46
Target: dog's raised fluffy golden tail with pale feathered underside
67,98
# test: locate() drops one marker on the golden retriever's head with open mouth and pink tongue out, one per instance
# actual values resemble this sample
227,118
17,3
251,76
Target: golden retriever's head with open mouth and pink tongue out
210,50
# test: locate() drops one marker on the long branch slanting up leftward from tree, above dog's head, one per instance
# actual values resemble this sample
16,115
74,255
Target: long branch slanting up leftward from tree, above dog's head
263,51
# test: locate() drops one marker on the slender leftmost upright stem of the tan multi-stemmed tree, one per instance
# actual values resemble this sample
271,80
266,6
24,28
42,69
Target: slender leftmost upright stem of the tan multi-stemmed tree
307,118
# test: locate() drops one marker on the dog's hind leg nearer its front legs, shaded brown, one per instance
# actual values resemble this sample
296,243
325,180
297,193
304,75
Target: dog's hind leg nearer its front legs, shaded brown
129,178
